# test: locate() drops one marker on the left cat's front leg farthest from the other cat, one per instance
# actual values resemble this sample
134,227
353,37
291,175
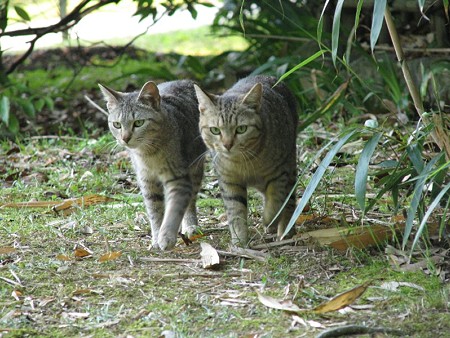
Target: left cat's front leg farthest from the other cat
153,194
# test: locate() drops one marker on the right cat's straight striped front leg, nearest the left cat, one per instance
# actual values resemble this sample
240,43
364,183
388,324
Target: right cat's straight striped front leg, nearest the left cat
235,199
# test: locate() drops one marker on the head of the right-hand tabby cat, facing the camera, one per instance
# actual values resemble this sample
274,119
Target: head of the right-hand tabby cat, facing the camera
231,124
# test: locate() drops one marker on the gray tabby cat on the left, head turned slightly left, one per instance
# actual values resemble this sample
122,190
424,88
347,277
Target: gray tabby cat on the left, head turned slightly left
159,127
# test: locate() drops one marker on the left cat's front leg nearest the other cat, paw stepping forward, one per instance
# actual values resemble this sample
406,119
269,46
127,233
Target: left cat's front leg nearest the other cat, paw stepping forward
178,196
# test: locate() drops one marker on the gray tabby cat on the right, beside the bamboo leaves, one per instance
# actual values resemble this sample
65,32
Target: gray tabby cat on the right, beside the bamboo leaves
251,133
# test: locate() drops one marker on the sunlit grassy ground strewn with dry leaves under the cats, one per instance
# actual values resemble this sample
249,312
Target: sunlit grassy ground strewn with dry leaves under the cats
46,290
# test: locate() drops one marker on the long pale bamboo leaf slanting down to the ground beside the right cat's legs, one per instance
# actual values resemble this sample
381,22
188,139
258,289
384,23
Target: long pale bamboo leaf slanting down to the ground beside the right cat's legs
320,171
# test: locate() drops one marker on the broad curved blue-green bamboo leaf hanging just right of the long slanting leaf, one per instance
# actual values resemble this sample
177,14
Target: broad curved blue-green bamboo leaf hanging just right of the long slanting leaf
362,169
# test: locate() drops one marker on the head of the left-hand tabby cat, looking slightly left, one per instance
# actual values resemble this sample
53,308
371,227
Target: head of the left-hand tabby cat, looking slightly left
134,118
